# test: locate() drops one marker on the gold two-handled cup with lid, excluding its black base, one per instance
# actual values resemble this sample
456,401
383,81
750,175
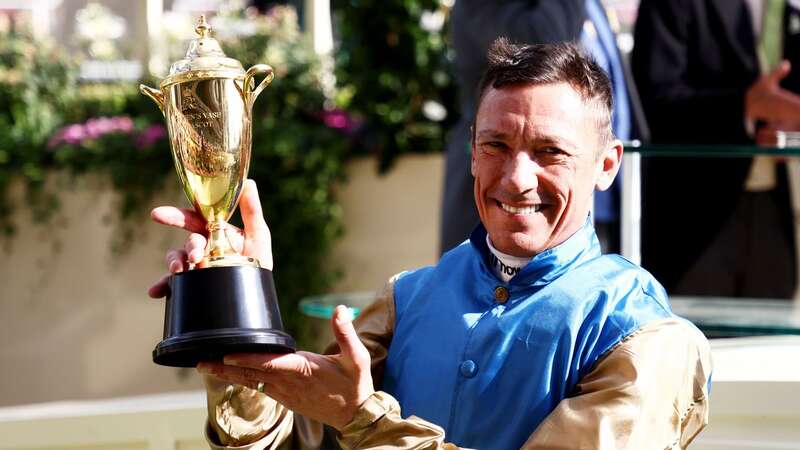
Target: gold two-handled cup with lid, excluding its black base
208,107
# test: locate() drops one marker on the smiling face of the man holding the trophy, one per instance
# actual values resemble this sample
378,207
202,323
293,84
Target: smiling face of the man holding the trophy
536,158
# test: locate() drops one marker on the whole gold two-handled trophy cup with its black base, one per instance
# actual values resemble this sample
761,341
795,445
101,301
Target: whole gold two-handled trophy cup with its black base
229,305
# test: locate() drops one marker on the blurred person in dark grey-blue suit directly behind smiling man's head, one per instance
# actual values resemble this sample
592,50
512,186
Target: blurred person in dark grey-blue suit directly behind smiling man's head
473,26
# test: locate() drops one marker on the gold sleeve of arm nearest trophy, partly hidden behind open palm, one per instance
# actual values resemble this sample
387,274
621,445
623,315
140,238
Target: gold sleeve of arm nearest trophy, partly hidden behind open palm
239,417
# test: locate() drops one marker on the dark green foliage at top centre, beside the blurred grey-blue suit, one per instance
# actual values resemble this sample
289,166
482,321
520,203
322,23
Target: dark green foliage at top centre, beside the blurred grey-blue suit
391,67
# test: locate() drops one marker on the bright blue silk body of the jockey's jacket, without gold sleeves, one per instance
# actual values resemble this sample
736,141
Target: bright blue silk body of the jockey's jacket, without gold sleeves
488,360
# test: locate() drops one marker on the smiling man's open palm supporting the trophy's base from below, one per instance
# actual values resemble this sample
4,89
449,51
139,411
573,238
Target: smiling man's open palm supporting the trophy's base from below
329,389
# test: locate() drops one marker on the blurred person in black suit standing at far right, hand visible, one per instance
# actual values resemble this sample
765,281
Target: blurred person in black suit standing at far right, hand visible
708,227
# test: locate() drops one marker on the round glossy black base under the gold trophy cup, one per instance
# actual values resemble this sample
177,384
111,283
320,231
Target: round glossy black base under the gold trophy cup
218,311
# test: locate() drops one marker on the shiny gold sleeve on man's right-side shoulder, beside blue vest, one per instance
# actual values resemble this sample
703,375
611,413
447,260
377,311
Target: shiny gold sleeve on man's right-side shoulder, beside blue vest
649,392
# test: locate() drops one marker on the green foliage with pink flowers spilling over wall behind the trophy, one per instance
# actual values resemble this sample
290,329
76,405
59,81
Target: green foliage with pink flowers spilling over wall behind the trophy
50,122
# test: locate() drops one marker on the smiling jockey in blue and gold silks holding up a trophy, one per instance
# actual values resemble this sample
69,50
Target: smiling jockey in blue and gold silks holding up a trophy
522,337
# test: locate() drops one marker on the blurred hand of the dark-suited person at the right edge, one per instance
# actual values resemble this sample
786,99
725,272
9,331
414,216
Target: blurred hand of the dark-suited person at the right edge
767,101
